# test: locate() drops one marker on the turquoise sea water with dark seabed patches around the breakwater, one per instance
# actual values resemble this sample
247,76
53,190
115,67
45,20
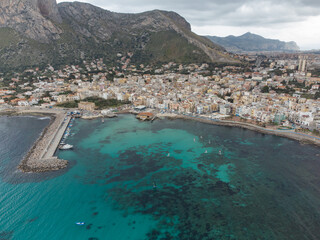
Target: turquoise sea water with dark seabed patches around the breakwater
162,180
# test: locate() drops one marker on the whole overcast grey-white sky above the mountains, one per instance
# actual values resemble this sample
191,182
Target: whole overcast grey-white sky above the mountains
286,20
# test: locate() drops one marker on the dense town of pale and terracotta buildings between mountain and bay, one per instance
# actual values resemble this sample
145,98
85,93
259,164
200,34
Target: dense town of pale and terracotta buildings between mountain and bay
277,91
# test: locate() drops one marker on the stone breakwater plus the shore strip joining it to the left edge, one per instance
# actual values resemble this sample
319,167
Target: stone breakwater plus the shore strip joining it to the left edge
40,157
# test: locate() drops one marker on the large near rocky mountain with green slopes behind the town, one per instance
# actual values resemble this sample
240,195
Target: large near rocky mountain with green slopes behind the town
41,32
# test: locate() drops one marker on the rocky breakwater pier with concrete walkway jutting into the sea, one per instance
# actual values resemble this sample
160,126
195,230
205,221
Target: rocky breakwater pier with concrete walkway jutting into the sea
40,157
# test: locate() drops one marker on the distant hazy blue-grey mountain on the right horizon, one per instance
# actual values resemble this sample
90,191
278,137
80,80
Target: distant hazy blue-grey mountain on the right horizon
252,42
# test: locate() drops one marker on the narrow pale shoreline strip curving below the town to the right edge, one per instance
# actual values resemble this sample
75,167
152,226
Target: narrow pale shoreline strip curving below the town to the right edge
300,137
